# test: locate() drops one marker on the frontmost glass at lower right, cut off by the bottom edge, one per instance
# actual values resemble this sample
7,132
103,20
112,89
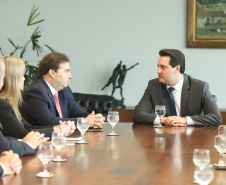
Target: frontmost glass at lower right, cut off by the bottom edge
204,175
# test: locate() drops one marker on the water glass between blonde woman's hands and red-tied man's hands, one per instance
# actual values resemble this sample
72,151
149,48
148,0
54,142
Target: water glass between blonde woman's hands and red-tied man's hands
83,126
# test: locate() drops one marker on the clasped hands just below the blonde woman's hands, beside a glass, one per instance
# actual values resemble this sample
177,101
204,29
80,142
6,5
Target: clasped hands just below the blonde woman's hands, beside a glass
34,139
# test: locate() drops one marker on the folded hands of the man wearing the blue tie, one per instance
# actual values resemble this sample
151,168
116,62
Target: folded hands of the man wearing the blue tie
174,121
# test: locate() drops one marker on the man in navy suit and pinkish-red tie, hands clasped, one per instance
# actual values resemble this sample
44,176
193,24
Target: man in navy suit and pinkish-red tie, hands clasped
49,98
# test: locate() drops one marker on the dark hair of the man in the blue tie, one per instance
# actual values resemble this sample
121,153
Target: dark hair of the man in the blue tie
176,58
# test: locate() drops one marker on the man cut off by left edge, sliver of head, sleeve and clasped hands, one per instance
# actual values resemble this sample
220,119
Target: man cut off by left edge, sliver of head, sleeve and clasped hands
29,143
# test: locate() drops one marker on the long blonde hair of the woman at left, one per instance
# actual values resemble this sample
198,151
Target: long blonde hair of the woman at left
15,69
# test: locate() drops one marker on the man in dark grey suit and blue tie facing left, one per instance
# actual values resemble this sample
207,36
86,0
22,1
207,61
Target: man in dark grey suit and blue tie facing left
185,98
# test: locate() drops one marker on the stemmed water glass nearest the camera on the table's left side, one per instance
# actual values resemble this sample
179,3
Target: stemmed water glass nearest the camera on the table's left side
45,154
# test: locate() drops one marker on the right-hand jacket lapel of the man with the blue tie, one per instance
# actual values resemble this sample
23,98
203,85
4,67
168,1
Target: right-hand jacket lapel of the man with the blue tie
184,95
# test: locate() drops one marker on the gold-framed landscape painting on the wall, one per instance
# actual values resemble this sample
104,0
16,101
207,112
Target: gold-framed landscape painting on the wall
206,24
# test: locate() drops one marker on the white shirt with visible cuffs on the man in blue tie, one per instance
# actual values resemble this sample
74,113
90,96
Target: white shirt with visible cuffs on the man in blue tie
177,98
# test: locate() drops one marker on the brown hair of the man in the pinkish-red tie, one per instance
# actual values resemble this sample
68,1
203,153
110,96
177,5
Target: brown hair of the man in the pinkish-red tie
51,61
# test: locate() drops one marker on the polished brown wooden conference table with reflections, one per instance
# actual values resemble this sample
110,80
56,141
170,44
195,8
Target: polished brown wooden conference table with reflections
140,155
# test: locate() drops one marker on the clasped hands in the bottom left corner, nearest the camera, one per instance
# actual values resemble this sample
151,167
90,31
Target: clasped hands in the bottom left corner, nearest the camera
11,162
